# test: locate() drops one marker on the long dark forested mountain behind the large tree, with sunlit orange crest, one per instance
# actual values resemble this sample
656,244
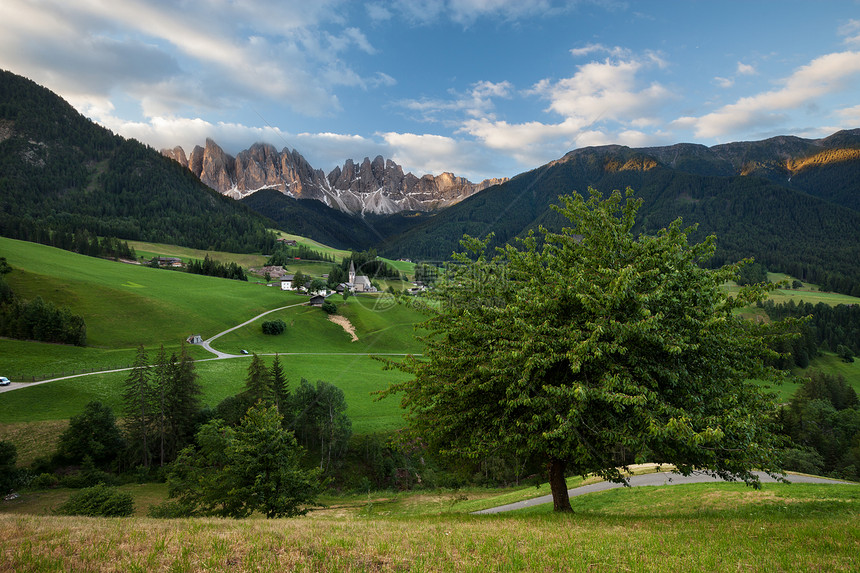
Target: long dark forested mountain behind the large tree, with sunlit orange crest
804,220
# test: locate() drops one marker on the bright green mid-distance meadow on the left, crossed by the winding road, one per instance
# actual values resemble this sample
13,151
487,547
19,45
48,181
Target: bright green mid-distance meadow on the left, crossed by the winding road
129,305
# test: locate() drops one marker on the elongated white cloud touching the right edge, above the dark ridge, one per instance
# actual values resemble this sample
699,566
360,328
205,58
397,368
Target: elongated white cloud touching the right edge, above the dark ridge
828,74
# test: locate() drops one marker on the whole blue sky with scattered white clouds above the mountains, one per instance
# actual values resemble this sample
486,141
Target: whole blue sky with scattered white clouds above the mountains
481,88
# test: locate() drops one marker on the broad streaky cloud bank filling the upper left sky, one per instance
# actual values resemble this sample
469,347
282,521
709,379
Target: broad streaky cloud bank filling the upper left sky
205,54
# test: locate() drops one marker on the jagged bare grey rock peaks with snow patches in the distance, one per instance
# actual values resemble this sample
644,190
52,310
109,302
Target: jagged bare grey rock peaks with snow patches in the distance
377,186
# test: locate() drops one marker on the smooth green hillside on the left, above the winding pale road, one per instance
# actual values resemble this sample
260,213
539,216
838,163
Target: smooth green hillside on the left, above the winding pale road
126,305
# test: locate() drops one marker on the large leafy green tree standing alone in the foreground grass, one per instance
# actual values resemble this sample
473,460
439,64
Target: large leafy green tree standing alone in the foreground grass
592,347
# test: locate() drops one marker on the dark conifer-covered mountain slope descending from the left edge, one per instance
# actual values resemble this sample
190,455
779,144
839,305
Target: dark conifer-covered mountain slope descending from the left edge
61,172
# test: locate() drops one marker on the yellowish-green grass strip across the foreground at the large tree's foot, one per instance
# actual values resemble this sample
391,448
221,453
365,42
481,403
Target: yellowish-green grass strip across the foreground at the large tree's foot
700,527
